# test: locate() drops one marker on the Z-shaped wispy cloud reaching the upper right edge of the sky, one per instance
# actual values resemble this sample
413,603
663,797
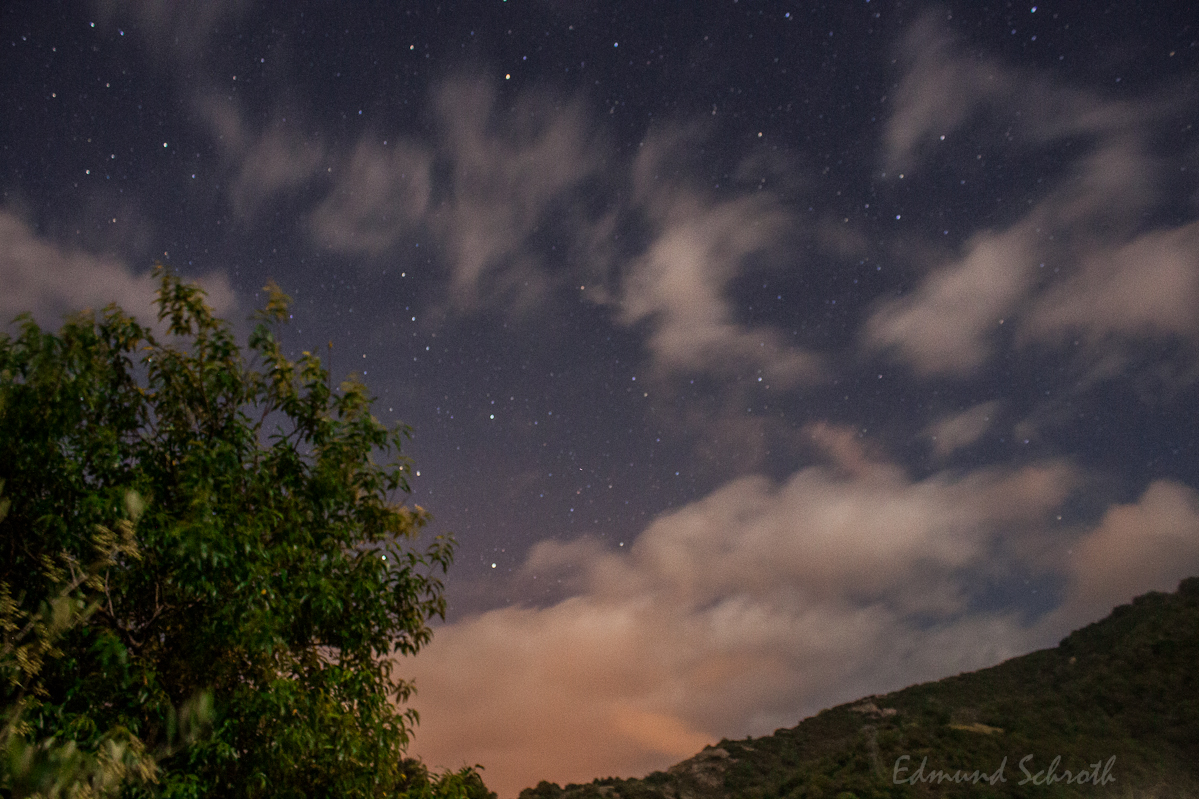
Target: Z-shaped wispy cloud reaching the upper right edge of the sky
1077,265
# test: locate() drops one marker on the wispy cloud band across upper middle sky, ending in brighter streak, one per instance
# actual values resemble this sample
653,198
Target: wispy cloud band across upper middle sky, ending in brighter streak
525,197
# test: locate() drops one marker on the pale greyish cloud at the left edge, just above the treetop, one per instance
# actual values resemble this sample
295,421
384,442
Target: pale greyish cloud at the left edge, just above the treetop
47,281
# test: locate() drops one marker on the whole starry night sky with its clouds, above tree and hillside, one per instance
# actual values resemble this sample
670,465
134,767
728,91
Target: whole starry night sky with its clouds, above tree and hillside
760,356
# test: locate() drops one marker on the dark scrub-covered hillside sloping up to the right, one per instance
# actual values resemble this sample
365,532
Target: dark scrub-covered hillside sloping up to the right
1113,711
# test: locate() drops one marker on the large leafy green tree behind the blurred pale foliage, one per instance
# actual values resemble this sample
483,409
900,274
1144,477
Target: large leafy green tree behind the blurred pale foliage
273,566
